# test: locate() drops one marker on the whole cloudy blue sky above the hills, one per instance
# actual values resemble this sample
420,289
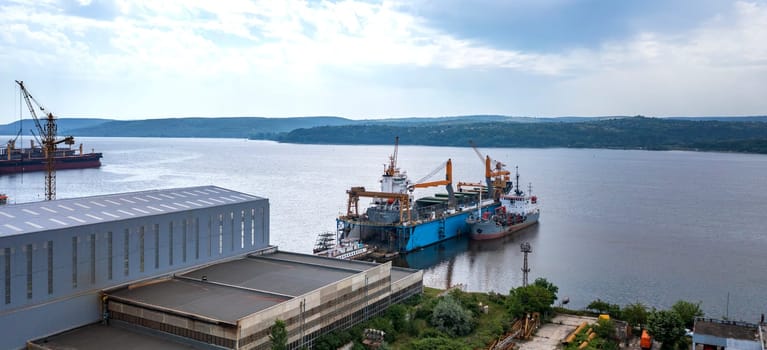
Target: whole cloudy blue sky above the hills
379,59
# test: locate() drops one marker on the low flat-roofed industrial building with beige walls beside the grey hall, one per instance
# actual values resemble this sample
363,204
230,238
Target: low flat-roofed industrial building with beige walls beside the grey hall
234,304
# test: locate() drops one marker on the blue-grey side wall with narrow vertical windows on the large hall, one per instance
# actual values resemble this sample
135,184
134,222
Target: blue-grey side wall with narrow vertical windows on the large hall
52,272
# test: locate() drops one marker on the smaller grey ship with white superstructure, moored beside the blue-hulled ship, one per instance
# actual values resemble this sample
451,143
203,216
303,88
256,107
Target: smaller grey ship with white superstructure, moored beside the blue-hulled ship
517,211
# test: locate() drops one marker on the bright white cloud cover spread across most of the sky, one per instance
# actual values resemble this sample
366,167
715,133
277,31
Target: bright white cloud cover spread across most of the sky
287,51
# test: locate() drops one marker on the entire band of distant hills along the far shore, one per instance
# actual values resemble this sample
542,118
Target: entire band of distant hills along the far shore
741,134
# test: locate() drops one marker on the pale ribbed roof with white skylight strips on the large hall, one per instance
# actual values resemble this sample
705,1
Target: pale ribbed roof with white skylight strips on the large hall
16,219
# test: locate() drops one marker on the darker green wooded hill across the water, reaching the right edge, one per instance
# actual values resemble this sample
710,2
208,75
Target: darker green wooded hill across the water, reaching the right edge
623,133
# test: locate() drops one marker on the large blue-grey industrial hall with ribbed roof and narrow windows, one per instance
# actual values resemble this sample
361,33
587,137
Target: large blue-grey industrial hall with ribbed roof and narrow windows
56,257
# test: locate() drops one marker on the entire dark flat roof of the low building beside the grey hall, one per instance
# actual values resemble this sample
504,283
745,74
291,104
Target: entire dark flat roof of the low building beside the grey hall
228,291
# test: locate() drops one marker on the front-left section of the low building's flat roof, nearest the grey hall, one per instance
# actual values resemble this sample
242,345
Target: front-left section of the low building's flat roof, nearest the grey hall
200,299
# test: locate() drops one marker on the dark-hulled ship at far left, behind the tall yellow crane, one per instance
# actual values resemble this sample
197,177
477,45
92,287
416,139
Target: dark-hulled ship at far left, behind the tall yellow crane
16,160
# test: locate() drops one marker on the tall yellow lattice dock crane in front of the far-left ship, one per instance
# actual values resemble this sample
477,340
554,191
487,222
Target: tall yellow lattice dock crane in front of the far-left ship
47,137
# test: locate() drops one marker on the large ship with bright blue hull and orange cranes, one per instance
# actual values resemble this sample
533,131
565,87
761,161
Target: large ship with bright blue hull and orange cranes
396,222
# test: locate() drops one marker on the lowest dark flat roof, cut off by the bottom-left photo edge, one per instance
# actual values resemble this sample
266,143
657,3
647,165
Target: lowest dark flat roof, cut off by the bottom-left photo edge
98,336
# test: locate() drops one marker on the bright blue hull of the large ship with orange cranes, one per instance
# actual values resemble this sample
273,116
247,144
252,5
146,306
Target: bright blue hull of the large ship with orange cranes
411,237
